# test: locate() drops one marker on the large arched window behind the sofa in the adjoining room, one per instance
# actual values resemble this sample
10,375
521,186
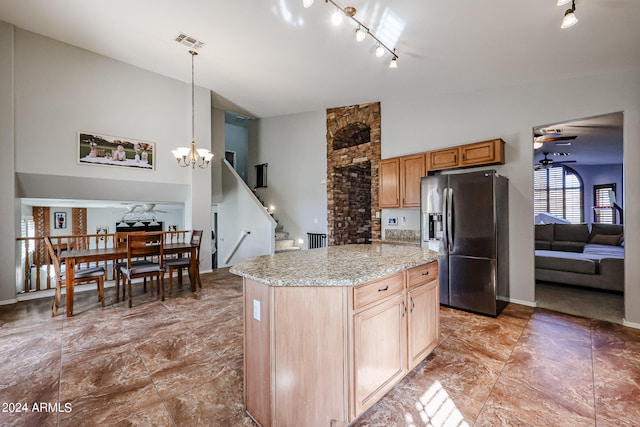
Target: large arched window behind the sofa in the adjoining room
559,191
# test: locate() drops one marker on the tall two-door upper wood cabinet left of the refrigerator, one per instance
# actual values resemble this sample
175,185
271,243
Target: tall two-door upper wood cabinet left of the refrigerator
400,181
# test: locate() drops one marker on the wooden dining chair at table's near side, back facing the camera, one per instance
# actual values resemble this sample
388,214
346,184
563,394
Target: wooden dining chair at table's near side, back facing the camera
149,246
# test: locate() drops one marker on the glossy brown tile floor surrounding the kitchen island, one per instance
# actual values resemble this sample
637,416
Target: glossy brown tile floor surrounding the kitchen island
180,363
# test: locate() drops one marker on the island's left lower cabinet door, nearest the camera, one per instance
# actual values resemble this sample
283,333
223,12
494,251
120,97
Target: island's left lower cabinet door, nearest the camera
379,354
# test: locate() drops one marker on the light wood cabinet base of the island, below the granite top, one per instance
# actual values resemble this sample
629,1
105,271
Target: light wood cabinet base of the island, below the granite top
322,355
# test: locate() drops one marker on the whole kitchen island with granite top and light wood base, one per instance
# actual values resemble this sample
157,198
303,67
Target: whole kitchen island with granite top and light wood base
328,331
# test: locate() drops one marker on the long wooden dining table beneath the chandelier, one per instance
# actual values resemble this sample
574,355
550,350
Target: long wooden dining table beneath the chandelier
75,257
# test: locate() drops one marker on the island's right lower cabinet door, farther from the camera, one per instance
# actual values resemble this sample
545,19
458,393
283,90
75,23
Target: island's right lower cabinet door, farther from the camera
424,304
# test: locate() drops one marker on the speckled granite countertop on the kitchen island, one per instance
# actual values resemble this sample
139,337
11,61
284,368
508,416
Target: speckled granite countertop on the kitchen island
343,265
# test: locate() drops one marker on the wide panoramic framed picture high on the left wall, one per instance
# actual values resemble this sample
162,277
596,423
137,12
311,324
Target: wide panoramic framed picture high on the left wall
105,150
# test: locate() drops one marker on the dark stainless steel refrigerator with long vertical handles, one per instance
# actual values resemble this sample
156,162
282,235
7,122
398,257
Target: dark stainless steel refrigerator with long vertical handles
466,217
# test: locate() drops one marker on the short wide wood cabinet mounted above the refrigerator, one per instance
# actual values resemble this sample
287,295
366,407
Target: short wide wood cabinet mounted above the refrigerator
477,154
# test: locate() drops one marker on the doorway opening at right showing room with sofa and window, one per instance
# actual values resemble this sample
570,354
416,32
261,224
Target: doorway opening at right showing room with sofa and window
578,214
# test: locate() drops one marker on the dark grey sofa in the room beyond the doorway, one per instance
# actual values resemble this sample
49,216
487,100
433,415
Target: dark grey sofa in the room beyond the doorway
576,254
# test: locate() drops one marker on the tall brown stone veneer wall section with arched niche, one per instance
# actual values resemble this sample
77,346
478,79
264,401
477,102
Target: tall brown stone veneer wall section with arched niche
352,173
